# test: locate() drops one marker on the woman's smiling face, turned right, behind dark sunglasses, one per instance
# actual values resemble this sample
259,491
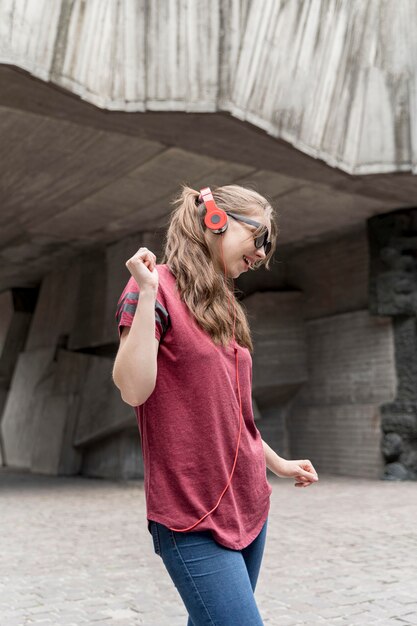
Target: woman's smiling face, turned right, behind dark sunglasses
237,242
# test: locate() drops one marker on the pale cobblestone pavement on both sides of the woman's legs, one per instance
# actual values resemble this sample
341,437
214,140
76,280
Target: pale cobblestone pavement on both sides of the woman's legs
77,551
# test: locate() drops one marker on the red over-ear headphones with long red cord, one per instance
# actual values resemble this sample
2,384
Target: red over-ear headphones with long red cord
216,220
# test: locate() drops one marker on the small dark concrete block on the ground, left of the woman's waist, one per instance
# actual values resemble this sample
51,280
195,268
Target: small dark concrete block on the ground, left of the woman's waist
118,456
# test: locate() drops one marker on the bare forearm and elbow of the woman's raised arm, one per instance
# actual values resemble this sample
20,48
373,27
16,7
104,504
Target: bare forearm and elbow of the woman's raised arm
135,367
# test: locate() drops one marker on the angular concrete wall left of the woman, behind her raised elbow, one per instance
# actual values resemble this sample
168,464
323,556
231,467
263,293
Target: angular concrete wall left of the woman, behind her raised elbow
63,413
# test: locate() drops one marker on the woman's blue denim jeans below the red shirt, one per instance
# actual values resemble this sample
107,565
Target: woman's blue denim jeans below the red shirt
216,583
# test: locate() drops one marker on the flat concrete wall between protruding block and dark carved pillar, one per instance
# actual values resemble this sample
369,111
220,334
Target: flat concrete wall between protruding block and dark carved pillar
335,418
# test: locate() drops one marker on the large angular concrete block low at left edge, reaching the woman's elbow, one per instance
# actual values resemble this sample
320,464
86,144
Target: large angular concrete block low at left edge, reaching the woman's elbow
56,405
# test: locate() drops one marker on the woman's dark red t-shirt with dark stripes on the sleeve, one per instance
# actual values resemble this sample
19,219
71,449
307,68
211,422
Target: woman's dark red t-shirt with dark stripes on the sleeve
189,426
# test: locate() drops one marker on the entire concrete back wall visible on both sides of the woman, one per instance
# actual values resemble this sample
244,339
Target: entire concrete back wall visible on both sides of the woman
322,365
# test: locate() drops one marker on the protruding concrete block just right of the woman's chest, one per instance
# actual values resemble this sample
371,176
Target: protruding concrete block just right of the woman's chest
279,358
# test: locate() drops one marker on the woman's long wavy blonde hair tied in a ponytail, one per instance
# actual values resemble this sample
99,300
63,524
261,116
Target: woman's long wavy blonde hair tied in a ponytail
204,290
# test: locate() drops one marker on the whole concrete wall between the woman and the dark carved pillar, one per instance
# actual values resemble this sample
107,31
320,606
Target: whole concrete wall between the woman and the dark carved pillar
333,414
